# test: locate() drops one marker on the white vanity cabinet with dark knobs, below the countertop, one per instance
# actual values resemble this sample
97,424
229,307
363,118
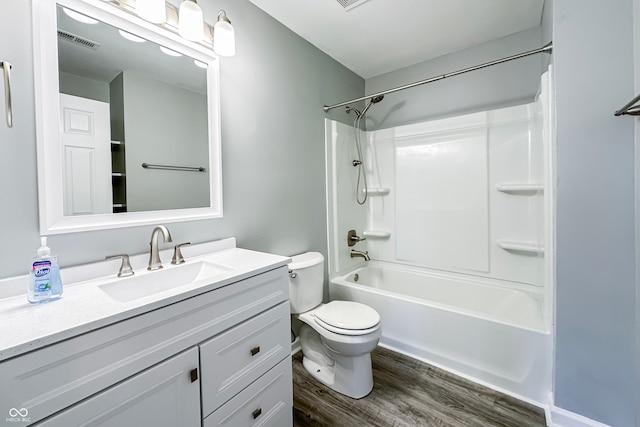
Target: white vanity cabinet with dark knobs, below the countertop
217,351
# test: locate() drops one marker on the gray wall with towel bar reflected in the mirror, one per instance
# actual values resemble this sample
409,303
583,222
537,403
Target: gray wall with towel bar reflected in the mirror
166,125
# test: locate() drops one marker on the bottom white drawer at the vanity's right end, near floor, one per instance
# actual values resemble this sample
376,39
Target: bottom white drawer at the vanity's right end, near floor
266,402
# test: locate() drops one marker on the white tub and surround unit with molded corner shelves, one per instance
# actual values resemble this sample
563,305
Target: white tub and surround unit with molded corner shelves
459,227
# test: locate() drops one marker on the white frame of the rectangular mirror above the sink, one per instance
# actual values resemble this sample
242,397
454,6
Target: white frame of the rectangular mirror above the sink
47,108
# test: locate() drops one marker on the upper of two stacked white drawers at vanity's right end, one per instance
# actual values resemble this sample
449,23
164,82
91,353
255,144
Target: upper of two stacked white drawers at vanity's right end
246,352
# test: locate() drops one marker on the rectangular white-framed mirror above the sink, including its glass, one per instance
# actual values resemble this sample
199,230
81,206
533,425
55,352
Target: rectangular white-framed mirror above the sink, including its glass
127,120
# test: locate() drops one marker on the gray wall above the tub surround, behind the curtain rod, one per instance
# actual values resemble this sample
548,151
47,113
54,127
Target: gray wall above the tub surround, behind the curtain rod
503,85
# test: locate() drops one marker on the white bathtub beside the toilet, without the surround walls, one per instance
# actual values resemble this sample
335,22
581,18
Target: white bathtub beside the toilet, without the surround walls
493,335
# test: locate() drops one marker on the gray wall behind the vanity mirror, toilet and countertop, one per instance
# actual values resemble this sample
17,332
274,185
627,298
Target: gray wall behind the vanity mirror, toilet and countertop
272,146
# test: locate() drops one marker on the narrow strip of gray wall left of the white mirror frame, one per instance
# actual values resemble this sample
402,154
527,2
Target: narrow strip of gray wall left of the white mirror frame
18,169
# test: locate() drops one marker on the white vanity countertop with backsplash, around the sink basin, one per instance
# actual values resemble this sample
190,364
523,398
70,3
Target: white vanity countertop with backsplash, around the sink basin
84,306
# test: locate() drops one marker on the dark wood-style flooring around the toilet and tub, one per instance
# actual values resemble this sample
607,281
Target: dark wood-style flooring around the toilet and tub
407,393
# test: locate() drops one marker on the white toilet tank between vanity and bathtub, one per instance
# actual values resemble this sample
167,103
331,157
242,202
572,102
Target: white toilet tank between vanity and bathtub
306,281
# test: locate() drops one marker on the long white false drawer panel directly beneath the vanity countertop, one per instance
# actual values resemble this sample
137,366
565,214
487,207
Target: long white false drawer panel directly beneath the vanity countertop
48,380
